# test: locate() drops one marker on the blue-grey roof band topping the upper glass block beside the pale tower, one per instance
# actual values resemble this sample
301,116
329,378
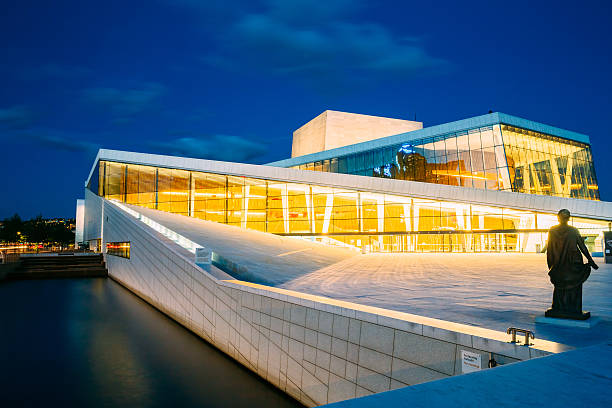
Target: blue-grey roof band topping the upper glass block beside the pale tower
438,130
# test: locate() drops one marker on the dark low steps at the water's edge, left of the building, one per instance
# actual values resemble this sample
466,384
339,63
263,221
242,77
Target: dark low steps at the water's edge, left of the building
60,266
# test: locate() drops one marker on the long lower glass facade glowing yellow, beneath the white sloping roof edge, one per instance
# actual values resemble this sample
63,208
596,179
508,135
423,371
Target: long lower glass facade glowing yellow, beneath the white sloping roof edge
370,221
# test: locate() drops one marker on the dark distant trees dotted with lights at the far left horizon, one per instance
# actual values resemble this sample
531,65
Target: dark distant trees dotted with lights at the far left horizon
36,230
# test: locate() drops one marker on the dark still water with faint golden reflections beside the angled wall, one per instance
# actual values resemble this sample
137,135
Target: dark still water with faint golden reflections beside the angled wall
90,342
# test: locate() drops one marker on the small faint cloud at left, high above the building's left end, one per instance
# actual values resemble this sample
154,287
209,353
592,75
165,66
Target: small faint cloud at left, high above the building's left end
124,103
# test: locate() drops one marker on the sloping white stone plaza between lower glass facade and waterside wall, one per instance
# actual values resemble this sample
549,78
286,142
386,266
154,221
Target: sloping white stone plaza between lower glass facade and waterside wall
493,291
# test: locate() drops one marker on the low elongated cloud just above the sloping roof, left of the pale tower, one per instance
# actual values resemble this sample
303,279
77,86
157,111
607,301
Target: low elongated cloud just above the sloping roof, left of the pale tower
215,147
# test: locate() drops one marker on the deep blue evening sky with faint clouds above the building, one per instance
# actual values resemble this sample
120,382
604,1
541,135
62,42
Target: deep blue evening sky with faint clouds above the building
231,80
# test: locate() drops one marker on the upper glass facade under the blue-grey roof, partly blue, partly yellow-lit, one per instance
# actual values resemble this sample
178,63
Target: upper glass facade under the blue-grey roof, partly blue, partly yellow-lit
499,157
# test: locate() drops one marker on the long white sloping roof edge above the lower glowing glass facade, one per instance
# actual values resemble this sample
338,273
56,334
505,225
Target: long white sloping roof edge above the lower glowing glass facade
600,210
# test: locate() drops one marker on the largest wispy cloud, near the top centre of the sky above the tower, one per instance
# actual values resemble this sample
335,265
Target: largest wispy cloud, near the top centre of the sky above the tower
339,46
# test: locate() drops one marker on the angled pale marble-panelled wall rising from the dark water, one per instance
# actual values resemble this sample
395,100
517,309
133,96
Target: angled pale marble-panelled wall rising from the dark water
316,349
